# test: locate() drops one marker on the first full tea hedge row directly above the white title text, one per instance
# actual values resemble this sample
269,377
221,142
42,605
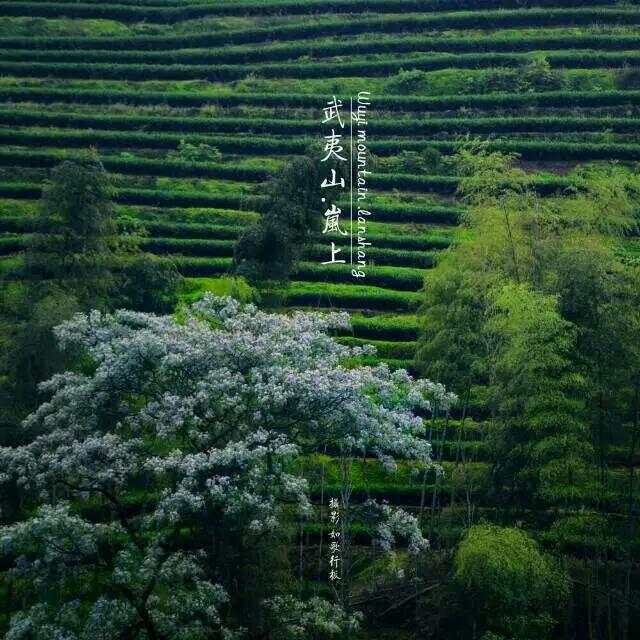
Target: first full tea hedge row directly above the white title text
587,59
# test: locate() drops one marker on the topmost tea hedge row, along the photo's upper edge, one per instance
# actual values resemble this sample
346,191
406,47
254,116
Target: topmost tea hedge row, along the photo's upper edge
166,10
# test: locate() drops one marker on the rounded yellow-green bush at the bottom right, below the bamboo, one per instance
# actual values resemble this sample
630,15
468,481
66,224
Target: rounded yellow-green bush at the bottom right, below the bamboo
516,590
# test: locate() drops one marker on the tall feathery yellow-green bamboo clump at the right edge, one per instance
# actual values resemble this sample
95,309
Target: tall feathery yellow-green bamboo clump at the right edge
544,320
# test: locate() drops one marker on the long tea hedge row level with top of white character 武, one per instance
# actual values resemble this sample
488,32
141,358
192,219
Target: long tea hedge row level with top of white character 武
578,99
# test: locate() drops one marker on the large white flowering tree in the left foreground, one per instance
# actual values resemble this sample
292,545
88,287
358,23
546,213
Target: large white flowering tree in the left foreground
170,444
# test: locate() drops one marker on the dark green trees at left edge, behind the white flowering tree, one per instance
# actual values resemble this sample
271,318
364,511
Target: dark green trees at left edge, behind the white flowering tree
76,260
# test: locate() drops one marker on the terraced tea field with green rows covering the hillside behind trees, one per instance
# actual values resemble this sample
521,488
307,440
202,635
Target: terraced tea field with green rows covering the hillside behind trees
249,78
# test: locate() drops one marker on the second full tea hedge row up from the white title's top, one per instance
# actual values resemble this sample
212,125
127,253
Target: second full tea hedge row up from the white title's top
282,52
